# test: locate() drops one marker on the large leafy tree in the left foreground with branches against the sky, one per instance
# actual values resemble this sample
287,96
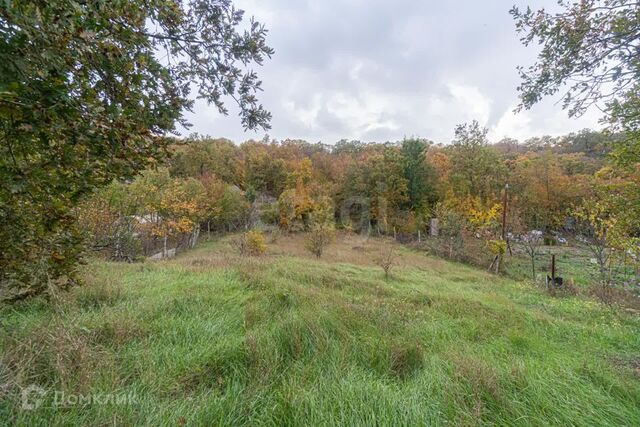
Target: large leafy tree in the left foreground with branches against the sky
88,90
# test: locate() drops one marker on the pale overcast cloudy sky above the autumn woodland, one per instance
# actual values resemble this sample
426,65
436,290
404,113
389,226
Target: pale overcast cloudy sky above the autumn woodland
380,70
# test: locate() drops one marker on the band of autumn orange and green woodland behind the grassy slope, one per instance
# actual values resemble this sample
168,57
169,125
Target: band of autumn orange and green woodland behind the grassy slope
556,185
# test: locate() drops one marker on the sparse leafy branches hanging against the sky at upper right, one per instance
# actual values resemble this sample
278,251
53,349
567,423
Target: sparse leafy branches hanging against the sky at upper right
590,51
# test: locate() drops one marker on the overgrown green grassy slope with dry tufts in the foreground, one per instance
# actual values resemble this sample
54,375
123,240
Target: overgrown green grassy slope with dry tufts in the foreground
212,339
